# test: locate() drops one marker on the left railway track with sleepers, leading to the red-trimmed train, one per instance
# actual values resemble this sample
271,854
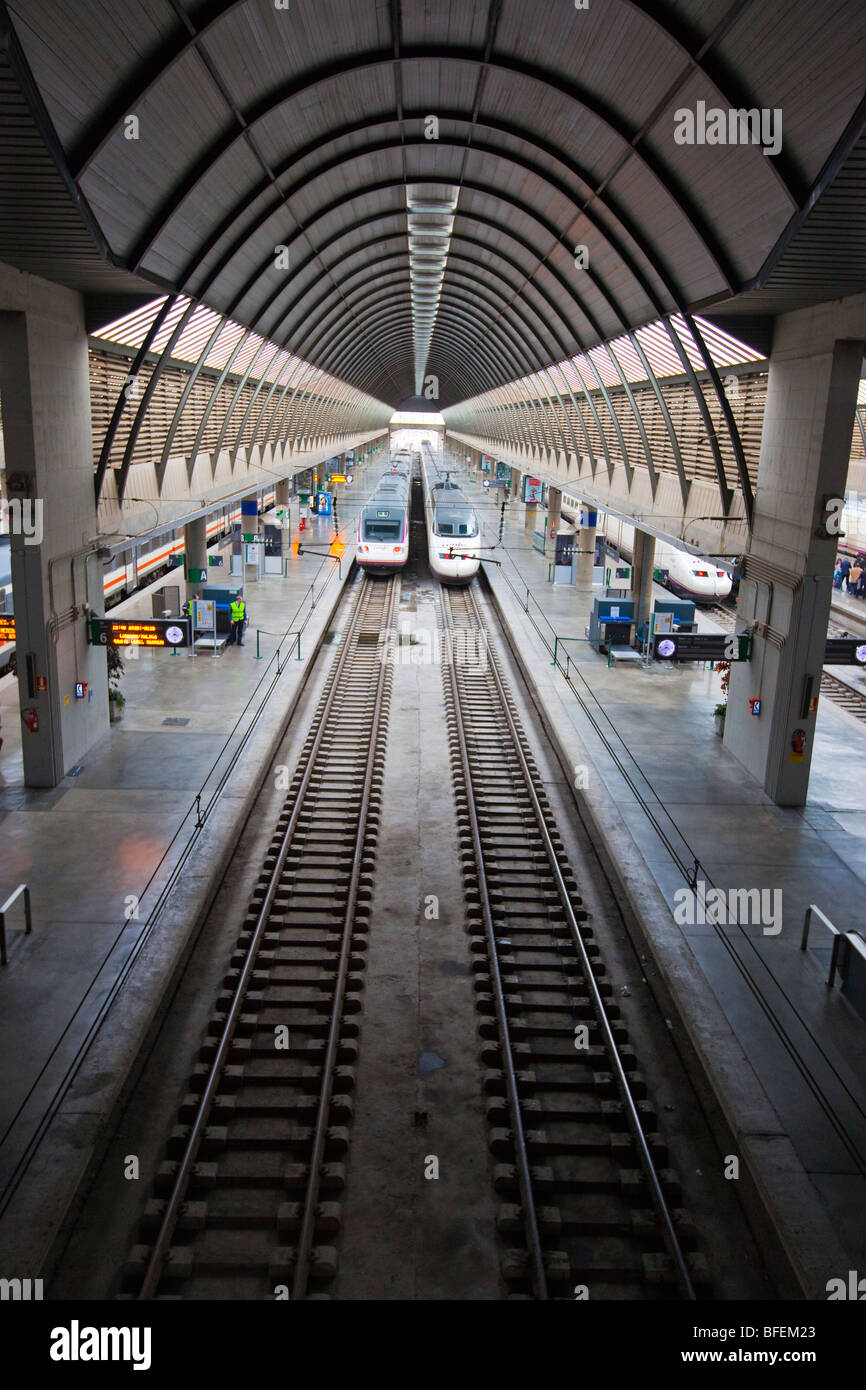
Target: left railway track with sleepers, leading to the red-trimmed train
248,1202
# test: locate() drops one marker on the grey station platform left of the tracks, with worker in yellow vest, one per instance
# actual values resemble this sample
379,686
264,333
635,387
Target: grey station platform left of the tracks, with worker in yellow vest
154,807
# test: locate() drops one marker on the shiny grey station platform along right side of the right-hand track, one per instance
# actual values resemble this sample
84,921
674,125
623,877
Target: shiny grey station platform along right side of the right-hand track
664,796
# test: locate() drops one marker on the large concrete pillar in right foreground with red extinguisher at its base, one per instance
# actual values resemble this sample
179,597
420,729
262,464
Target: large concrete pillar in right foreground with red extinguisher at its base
812,389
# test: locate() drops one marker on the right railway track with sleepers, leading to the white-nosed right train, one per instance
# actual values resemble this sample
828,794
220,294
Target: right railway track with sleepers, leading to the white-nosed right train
590,1206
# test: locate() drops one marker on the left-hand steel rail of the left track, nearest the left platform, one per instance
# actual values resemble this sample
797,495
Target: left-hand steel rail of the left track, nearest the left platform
161,1250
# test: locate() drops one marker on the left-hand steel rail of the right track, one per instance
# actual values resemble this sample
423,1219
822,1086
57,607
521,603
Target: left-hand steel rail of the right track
525,1179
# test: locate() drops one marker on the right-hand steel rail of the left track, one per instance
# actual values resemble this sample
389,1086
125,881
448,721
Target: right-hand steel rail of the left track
308,1227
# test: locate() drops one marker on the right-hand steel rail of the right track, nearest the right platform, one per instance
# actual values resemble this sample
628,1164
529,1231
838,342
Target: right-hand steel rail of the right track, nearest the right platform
635,1118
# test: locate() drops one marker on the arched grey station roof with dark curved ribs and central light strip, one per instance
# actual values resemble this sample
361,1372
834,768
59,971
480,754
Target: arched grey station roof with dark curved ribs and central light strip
439,197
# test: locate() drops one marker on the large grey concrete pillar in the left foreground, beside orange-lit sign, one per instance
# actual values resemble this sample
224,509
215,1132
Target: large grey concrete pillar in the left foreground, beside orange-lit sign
45,386
